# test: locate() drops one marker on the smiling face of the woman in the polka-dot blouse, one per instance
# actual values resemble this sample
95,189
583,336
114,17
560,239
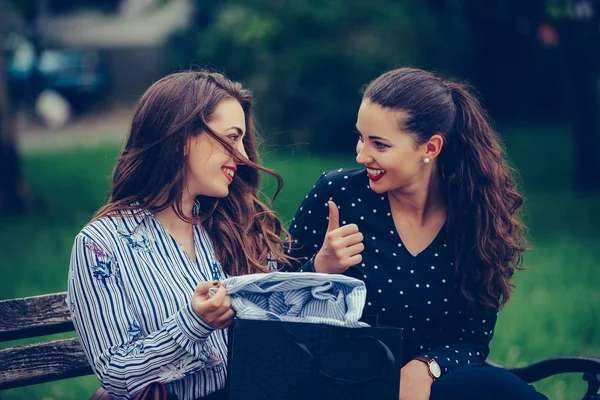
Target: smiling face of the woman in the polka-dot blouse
391,155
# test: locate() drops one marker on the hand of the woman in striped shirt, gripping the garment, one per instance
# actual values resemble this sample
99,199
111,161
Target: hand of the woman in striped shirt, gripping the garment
215,311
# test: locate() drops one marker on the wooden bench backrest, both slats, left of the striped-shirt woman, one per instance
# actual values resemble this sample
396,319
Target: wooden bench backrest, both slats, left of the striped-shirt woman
40,362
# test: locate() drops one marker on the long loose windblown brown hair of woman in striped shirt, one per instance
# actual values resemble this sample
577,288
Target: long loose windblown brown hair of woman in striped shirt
151,169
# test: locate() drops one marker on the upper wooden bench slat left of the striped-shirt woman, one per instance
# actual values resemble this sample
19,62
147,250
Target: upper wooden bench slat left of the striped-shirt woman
34,316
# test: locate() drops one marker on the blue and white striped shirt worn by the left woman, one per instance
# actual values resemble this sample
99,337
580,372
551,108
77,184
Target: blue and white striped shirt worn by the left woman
129,291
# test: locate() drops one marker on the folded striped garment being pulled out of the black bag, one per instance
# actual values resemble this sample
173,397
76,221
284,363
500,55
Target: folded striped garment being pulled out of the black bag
298,297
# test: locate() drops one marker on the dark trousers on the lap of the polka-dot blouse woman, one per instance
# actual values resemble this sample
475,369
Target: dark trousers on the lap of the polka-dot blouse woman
487,383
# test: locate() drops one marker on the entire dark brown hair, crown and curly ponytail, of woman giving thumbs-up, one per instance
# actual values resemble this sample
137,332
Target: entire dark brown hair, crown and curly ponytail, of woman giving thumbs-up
483,222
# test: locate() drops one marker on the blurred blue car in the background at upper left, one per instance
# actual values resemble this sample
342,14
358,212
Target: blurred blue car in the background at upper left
82,76
